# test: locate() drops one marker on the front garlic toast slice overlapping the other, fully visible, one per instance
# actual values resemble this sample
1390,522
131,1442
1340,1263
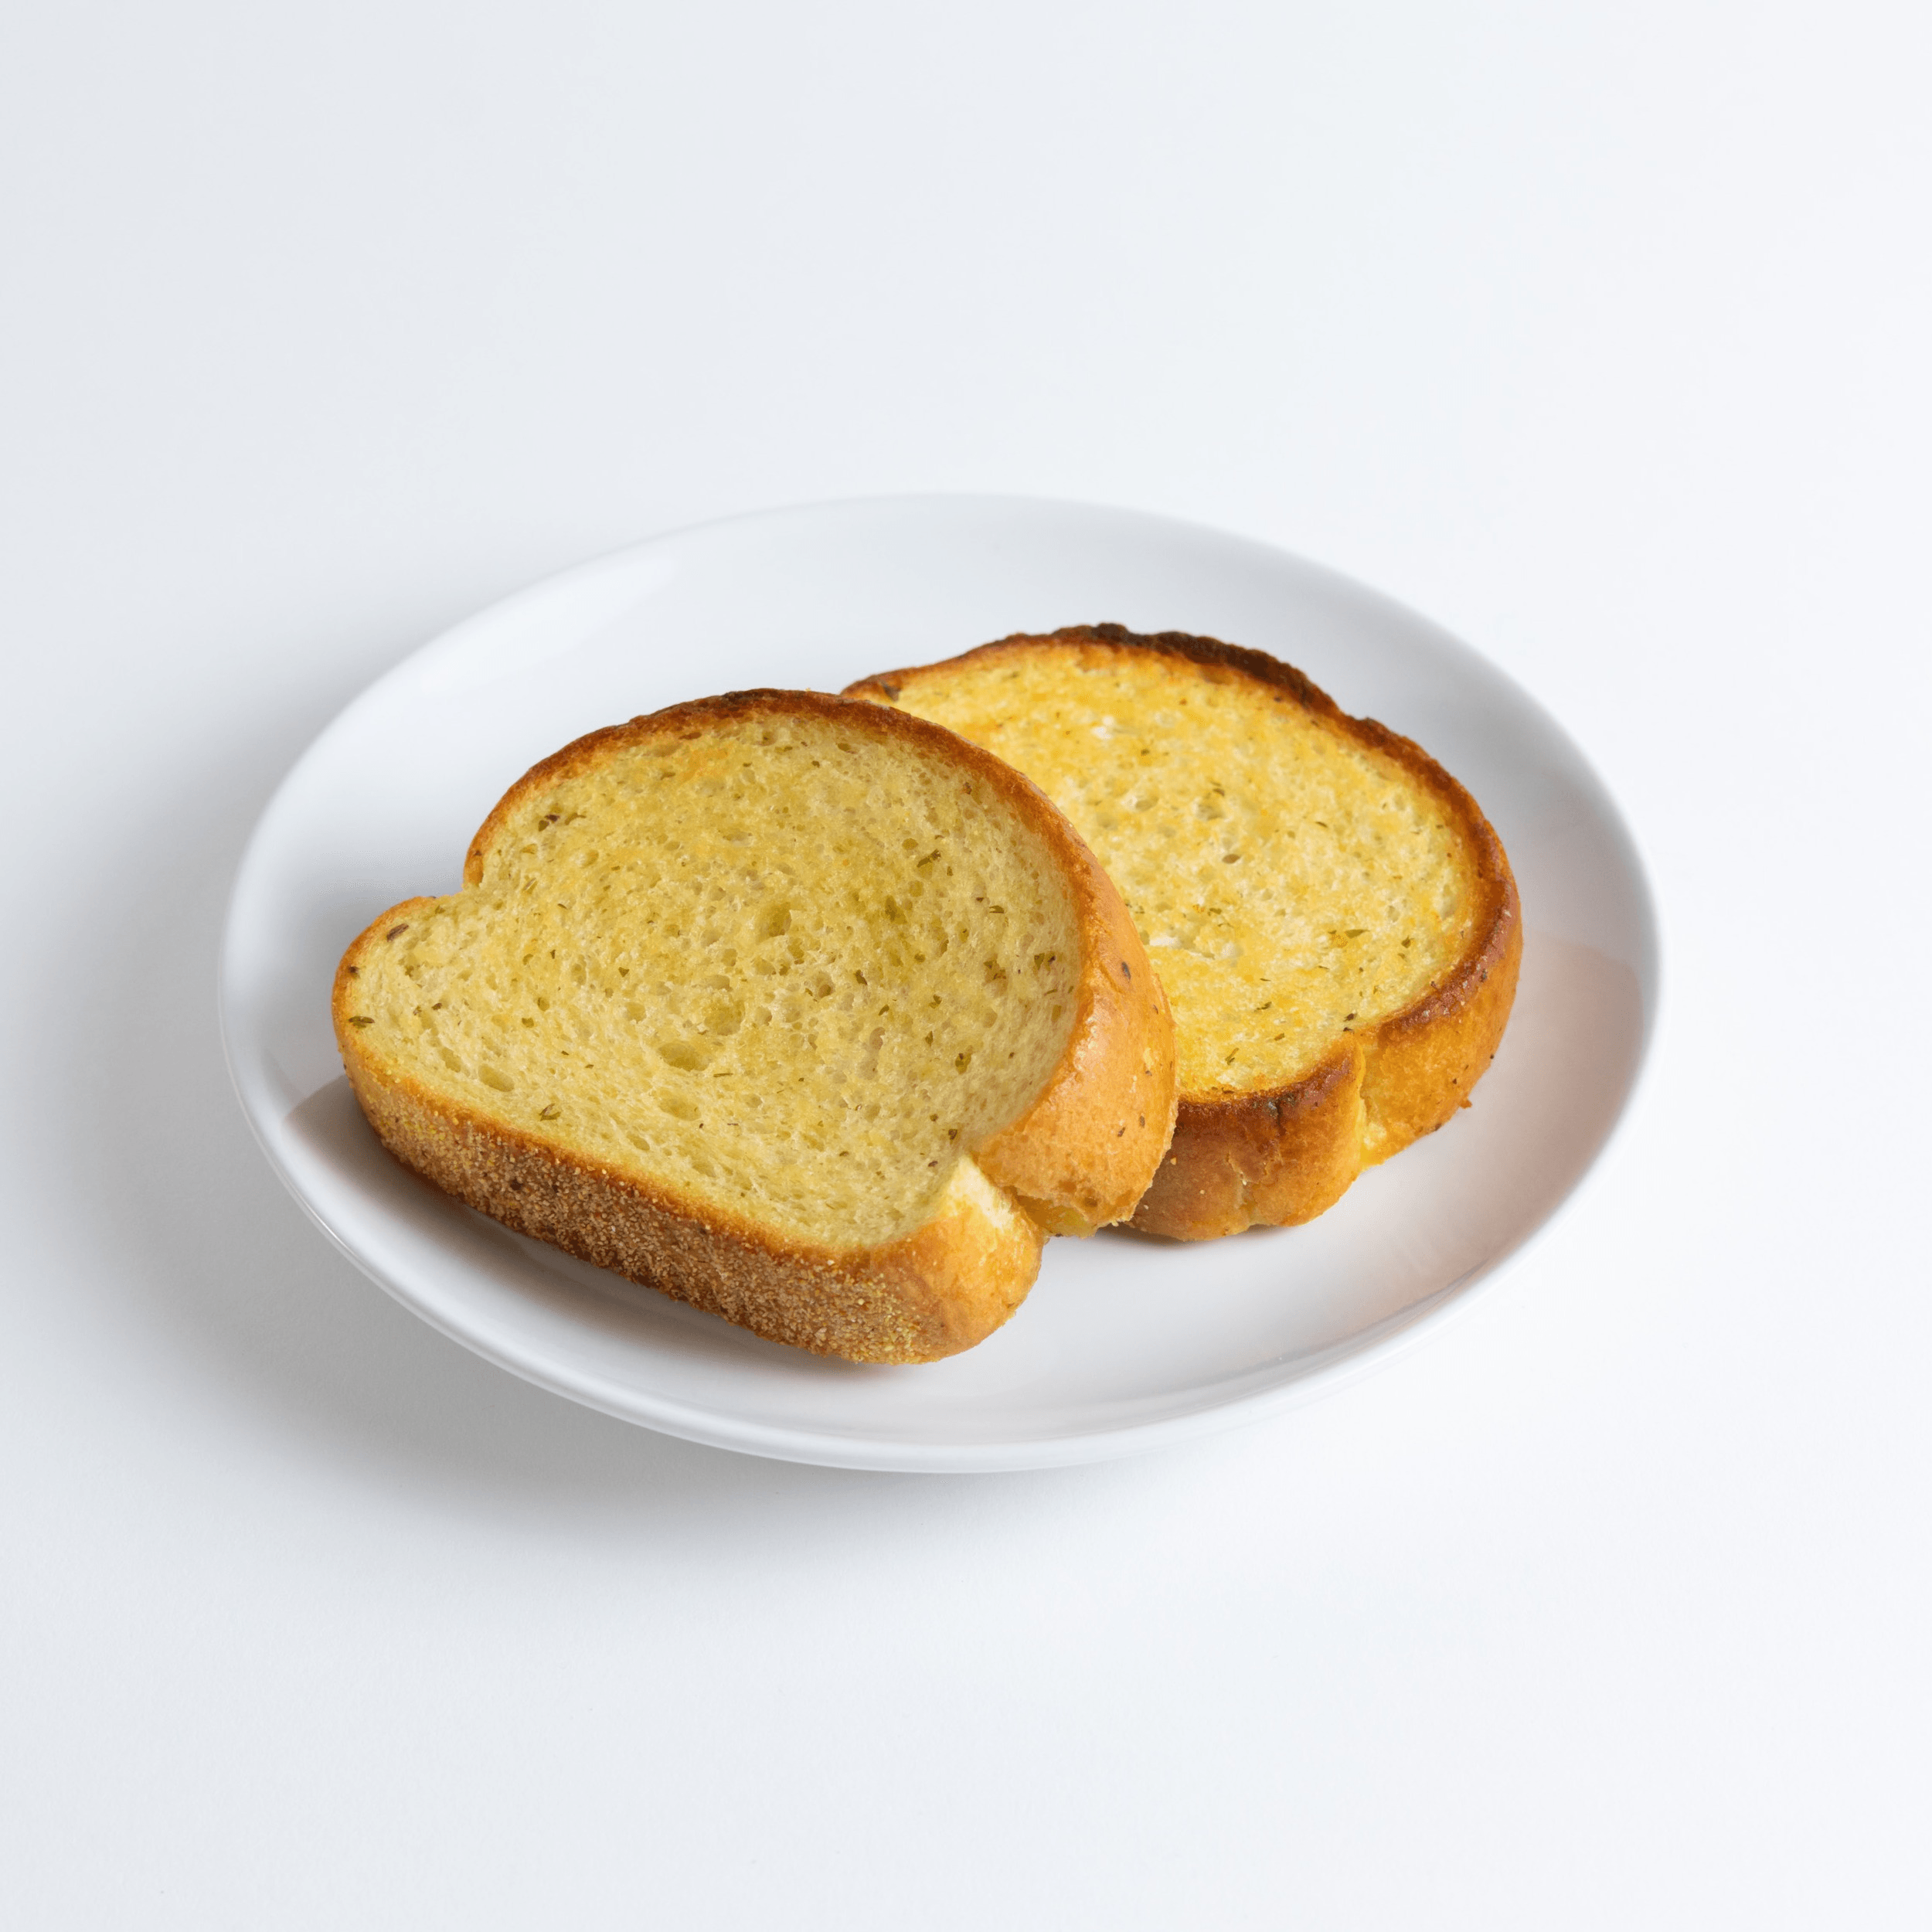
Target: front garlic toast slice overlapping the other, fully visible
793,1008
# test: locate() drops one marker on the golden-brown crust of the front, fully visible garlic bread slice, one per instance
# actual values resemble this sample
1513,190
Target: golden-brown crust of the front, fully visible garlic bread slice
1079,1156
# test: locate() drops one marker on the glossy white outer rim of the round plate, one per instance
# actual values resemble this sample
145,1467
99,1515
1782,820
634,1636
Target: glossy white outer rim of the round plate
1351,1361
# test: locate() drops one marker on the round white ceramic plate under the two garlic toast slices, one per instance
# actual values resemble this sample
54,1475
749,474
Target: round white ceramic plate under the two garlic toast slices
1123,1344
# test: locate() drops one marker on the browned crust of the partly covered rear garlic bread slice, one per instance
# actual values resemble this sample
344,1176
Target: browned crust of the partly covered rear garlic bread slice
1282,1156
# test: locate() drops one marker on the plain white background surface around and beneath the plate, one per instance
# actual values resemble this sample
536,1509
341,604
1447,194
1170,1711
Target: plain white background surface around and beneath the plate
1599,335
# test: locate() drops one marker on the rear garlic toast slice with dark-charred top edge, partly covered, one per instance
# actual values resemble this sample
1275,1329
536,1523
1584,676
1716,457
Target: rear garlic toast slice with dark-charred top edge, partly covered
1332,917
